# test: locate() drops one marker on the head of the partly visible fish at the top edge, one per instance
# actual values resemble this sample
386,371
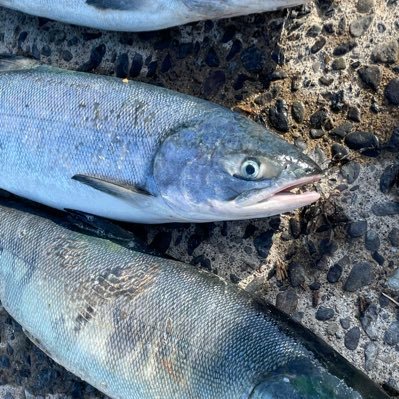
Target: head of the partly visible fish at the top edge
231,8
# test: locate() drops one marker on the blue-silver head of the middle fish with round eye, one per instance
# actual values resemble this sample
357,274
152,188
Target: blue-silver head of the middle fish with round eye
224,166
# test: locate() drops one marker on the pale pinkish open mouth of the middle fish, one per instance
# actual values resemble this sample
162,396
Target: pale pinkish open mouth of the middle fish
281,196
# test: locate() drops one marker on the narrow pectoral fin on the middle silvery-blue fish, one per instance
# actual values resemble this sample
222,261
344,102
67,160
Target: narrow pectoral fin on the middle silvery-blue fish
115,189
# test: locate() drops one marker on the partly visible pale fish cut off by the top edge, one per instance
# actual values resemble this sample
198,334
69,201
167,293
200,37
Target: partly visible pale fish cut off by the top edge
142,15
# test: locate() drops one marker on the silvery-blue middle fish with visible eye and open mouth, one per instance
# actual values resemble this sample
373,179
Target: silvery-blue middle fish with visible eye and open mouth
135,152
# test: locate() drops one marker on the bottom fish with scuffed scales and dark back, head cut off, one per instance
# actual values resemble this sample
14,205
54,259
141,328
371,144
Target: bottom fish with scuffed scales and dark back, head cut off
136,326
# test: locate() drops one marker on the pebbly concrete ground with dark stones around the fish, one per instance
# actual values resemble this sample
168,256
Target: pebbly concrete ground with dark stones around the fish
326,76
